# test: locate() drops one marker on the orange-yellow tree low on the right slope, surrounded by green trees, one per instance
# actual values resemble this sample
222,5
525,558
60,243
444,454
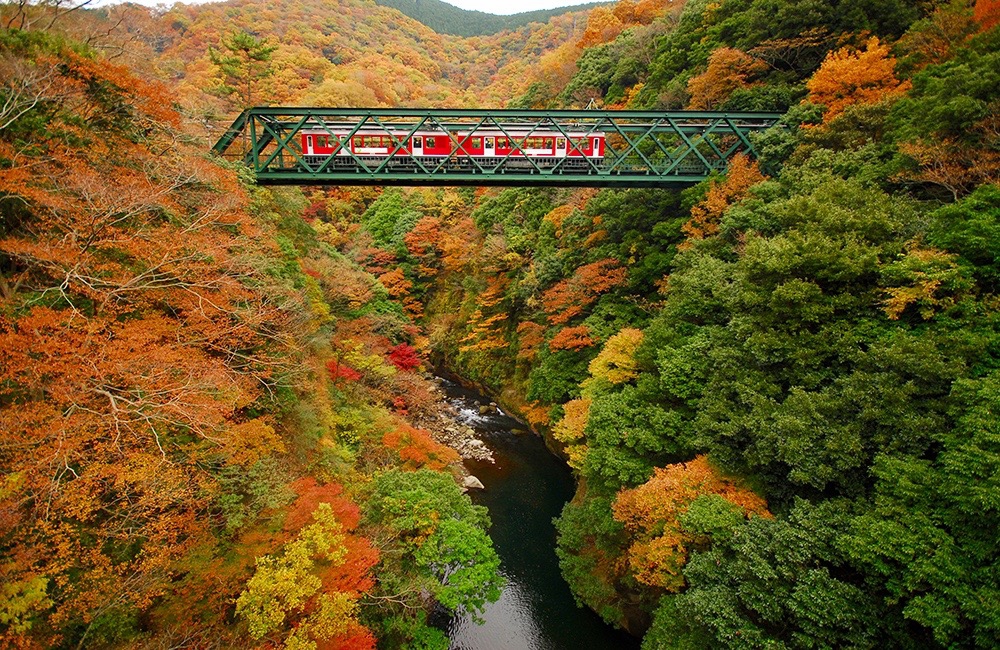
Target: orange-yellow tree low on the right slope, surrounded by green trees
651,515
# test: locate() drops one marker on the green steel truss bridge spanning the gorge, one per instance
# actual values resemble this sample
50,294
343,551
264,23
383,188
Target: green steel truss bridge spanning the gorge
641,148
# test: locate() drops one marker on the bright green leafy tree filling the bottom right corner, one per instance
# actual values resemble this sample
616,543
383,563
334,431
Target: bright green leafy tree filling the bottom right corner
930,541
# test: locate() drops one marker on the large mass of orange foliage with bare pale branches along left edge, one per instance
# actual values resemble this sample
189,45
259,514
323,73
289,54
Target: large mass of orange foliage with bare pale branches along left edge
125,396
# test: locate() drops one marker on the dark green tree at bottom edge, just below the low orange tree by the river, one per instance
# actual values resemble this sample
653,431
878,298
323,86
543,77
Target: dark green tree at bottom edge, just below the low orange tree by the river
769,583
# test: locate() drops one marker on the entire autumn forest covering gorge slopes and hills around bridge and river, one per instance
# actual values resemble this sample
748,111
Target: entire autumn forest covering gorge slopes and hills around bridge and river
778,389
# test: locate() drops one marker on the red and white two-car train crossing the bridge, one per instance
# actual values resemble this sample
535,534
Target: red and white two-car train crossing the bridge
486,148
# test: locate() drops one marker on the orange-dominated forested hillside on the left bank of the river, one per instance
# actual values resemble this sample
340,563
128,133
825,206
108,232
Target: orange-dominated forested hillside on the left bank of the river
207,413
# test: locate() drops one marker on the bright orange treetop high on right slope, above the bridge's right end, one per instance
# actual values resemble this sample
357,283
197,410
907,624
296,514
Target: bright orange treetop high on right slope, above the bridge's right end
849,77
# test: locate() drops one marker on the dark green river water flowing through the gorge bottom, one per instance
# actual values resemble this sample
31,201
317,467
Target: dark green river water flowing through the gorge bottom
525,489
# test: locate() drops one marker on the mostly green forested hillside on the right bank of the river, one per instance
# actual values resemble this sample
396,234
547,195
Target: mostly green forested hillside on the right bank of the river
777,388
